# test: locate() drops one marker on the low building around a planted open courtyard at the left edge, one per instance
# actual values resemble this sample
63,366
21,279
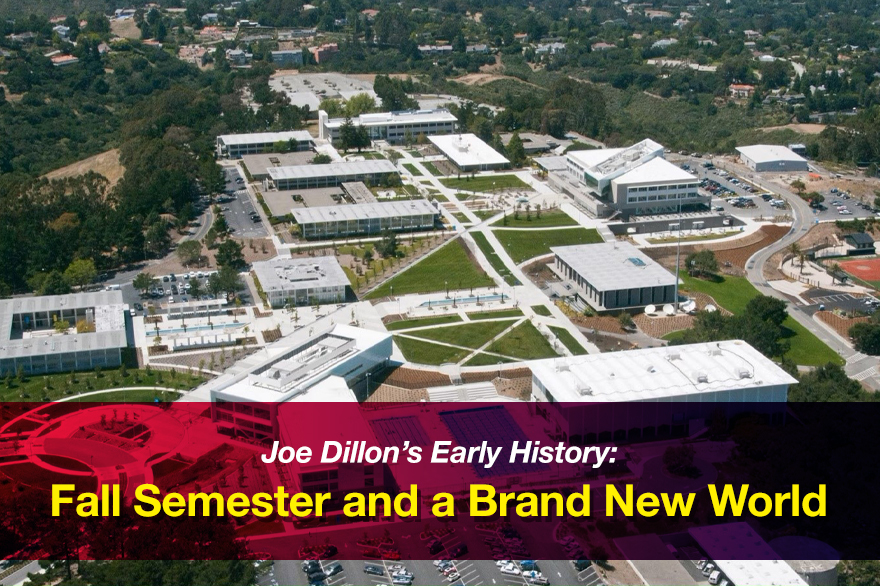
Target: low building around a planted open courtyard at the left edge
30,341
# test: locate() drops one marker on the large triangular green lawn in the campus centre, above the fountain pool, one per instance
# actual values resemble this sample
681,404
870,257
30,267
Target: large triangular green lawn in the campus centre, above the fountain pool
449,264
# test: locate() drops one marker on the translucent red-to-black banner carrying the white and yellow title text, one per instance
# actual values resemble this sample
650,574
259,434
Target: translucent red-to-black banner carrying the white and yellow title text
394,481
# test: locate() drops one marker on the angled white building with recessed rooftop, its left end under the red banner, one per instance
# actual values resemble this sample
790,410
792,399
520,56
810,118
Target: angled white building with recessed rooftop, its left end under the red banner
333,365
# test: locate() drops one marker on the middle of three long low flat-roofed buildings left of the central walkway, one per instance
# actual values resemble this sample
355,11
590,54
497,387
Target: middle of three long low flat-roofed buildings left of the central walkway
331,174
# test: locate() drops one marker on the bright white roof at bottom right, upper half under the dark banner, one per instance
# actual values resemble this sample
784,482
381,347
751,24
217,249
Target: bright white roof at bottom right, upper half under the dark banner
755,563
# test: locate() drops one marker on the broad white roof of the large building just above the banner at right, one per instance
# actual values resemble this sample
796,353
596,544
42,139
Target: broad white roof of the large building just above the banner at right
652,374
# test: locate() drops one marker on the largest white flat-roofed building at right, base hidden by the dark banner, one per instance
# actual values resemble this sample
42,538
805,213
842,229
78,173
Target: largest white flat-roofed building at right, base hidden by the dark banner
656,392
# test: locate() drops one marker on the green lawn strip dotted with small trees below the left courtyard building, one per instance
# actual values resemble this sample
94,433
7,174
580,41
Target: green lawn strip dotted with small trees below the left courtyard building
59,385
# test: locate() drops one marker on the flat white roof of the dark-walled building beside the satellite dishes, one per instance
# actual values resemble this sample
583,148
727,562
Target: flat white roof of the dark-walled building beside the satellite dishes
610,266
